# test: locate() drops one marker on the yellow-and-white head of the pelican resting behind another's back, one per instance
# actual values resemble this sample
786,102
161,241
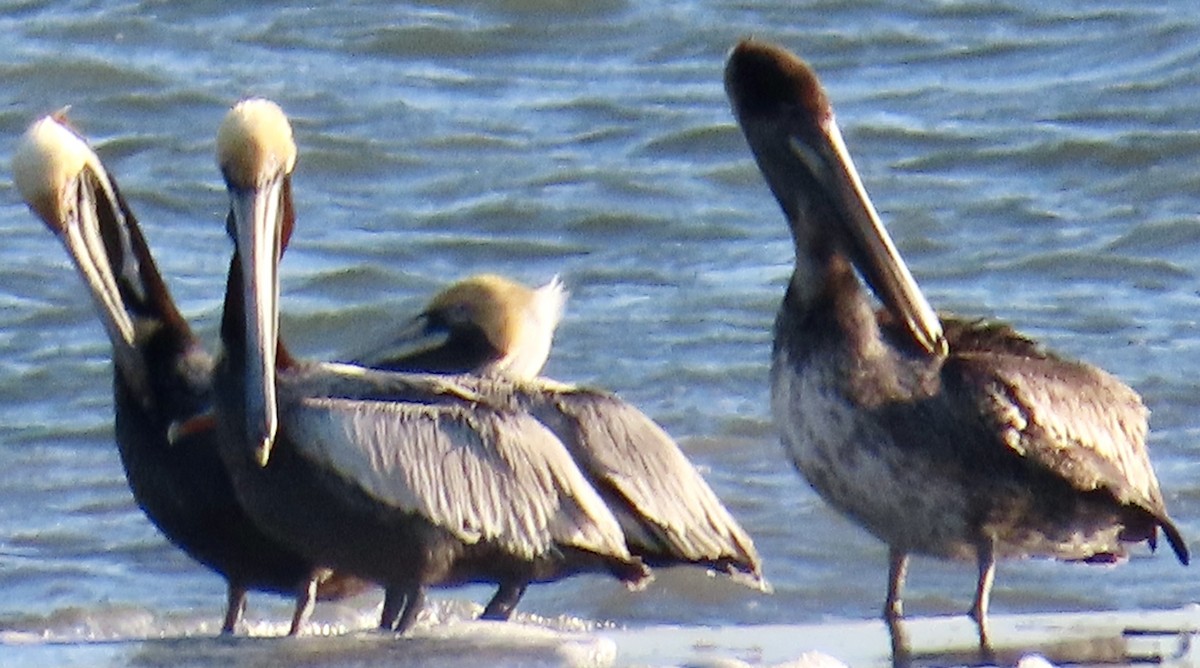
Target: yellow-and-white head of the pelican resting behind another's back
484,324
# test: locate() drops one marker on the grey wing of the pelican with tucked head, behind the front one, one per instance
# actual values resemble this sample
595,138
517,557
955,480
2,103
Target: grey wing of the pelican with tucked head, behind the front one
665,508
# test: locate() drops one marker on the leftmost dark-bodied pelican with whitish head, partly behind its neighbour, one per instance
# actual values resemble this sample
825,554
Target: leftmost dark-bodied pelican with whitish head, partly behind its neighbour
161,378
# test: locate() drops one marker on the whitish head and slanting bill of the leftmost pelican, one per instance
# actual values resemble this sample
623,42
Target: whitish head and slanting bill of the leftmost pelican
65,185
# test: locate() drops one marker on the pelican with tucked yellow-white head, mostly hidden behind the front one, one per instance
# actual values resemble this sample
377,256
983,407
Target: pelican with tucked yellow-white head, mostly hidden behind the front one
493,327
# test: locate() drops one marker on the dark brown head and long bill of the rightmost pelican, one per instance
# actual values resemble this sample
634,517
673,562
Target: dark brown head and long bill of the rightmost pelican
789,123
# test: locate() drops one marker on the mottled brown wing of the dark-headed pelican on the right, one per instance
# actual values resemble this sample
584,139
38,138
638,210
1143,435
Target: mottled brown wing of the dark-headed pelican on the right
1073,419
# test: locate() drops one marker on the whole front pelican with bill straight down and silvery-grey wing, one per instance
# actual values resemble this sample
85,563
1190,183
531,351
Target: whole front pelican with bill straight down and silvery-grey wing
401,479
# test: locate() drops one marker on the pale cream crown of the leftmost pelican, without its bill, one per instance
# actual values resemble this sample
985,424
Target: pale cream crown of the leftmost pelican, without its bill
49,159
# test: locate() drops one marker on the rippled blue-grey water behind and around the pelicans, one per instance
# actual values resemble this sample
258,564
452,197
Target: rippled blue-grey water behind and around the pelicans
1036,161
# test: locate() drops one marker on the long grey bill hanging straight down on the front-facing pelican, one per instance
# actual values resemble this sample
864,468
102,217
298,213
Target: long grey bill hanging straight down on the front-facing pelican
257,231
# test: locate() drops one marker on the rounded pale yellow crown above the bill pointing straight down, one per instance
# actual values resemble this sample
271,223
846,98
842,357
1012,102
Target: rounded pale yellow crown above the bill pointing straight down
255,143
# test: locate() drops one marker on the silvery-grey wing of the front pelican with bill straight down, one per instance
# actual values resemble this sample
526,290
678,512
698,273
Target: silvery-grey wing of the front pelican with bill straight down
481,474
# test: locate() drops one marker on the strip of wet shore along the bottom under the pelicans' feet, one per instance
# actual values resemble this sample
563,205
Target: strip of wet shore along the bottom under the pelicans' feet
1126,639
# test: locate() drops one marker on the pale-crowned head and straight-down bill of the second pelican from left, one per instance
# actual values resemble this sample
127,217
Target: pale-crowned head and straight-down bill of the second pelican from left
256,154
